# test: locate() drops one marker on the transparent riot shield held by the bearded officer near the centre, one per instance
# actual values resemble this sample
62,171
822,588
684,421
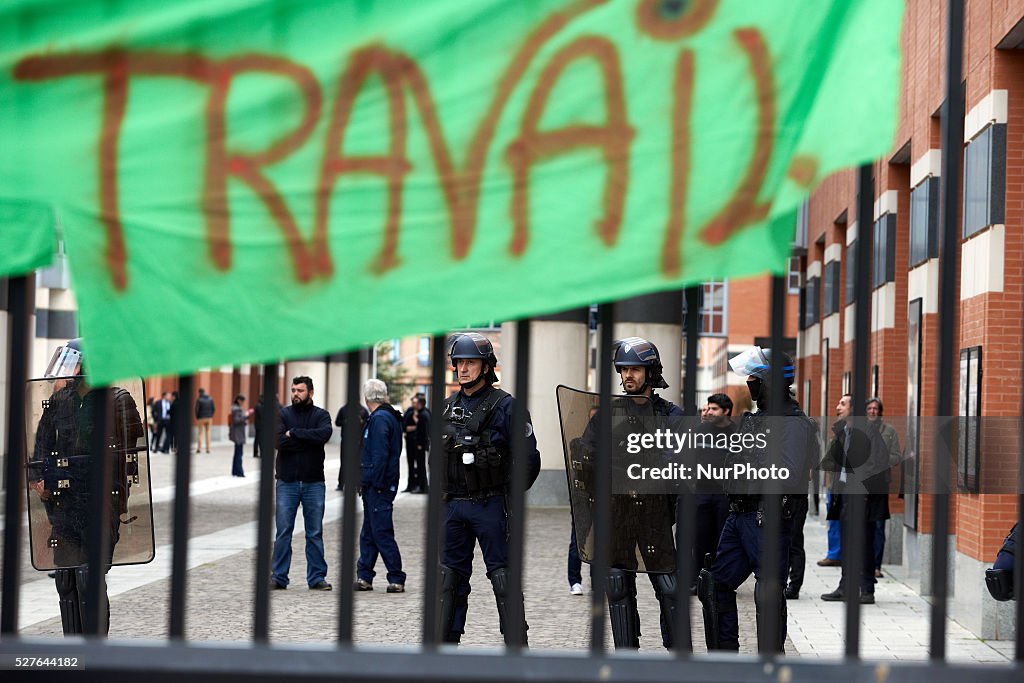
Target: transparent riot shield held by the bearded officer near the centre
642,535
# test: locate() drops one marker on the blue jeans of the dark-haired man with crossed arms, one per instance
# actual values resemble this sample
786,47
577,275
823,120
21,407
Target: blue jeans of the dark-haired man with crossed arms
312,495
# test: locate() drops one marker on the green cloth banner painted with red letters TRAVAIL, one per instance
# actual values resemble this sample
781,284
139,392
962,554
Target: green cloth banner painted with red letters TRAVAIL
243,181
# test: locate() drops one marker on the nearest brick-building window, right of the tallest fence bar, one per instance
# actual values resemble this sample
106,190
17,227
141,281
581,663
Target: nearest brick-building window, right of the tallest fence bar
986,180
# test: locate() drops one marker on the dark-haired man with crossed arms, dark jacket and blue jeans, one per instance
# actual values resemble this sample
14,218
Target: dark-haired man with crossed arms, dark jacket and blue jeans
303,432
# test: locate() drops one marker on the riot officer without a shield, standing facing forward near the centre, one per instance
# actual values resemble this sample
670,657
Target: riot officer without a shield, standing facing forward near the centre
478,422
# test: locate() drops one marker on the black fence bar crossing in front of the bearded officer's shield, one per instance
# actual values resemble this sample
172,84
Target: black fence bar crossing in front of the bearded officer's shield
603,484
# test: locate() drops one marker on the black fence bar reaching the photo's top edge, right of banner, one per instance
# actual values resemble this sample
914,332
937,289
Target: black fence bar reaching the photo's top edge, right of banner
953,140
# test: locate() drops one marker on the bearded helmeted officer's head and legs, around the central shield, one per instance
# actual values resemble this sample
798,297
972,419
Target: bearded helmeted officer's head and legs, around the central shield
642,521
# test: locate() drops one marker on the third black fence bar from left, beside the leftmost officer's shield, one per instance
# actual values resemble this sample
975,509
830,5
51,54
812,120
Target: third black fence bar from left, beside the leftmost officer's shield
183,479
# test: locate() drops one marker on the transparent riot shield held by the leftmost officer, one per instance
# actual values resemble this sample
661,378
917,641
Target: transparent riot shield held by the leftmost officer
60,463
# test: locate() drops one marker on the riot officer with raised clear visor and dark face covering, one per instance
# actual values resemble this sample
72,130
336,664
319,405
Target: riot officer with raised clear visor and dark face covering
740,546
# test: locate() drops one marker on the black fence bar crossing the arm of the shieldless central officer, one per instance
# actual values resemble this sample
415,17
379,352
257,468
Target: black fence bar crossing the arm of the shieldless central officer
518,495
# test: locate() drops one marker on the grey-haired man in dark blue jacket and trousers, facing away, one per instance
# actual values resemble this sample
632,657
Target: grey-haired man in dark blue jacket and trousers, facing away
379,485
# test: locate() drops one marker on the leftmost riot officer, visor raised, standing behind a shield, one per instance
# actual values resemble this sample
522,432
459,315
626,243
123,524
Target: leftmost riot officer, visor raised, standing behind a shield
60,474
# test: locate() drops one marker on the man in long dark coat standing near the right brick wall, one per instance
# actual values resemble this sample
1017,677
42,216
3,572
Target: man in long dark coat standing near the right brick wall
859,459
